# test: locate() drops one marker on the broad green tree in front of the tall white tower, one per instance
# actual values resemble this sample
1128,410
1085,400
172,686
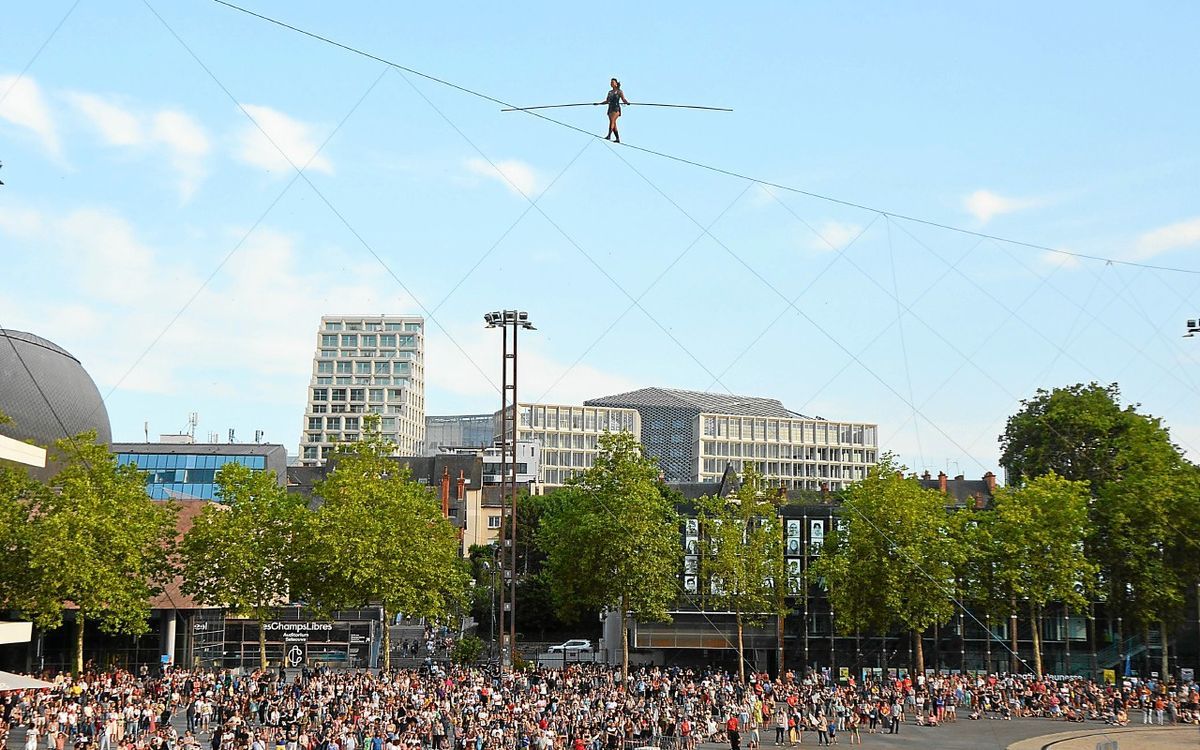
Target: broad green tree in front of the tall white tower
380,538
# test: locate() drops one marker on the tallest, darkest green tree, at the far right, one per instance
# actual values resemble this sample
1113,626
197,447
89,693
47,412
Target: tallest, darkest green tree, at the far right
1143,494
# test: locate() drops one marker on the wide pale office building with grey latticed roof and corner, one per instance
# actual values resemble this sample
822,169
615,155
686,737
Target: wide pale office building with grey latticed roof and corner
695,436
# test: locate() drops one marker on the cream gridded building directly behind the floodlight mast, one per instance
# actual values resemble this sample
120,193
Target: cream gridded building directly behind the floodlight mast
568,435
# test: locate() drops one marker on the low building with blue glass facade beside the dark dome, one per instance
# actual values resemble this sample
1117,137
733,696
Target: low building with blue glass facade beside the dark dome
188,471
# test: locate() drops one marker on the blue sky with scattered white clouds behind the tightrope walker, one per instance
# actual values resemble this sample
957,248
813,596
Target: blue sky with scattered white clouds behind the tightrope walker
135,183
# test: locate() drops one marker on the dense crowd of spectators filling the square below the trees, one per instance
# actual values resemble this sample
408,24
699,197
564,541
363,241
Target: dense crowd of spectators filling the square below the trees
584,707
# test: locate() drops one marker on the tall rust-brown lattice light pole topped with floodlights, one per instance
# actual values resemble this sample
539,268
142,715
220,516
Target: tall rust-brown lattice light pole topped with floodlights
515,320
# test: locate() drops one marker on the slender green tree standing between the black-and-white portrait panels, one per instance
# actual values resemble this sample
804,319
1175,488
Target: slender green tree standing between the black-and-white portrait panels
743,563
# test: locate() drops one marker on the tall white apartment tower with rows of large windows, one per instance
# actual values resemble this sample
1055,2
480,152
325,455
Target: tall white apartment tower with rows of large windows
367,365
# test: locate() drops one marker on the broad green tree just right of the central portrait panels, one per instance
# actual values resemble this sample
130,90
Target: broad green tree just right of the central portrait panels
895,563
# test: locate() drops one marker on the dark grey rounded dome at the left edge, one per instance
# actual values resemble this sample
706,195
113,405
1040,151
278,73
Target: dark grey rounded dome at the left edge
65,385
